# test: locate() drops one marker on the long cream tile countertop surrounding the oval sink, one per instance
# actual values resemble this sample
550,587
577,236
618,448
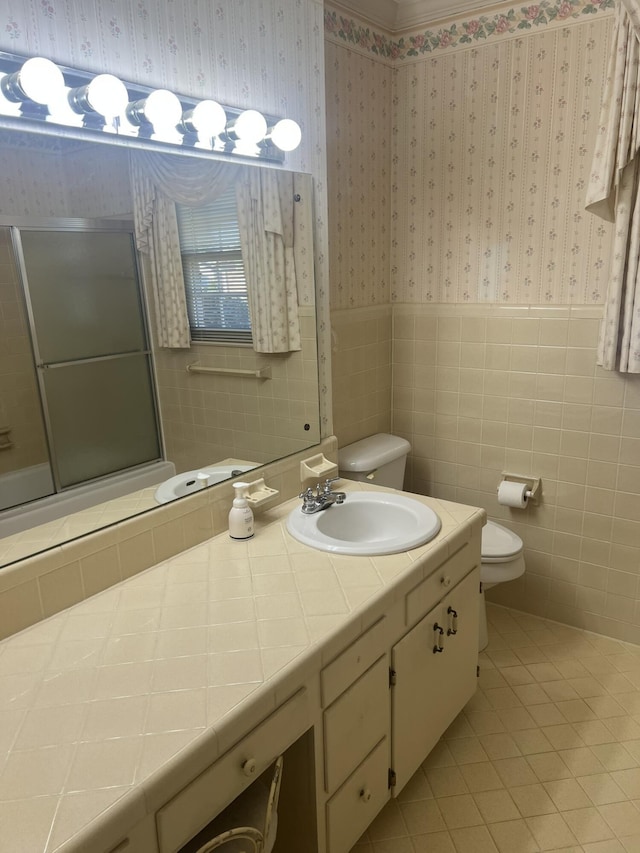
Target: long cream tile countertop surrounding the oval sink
112,706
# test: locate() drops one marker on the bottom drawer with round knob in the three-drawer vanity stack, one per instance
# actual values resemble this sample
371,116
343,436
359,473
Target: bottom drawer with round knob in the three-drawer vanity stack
355,805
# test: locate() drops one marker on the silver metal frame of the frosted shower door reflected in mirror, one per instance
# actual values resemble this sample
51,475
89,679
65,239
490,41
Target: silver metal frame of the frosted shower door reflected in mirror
77,224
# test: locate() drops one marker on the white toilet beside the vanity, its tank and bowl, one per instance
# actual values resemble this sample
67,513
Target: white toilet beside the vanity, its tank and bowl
381,459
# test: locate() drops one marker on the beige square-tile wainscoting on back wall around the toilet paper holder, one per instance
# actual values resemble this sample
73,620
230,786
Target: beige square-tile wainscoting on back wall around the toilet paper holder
483,389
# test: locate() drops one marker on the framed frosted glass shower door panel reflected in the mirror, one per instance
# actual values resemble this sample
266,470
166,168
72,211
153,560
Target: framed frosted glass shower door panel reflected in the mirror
91,351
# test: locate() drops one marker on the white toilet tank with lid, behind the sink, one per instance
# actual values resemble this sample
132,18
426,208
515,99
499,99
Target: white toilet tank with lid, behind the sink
379,459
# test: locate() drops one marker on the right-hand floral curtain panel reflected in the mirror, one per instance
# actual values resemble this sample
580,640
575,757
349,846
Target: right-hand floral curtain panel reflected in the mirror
266,218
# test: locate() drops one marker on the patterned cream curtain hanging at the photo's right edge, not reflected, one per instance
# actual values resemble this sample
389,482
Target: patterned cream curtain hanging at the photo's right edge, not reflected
614,191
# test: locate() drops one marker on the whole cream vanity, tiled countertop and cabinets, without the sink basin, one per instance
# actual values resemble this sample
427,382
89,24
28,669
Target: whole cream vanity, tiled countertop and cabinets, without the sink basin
168,694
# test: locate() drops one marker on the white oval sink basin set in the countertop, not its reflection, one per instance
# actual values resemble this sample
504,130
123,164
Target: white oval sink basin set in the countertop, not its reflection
367,523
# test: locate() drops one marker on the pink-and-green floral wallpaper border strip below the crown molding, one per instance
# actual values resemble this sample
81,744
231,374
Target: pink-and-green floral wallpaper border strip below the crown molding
461,32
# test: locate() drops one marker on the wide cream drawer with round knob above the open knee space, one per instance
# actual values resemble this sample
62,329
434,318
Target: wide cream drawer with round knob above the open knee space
185,815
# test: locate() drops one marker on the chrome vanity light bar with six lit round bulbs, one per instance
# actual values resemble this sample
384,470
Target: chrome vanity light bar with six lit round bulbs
38,93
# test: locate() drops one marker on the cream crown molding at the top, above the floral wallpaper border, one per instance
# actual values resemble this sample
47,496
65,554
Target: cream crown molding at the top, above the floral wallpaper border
396,15
